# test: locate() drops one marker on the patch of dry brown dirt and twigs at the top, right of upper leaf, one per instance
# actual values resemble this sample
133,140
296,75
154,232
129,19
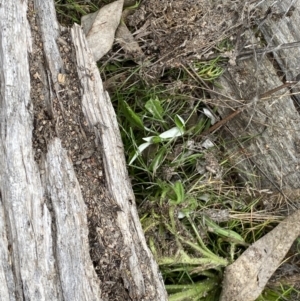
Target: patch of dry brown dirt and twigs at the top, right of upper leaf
174,32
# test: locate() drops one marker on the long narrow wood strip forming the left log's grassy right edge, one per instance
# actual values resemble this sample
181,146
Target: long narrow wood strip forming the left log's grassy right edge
100,114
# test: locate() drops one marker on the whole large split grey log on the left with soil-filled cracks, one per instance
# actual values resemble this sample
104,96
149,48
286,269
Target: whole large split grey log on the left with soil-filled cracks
69,227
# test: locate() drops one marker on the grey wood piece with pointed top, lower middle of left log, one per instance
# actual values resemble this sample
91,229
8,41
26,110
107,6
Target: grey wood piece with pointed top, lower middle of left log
78,280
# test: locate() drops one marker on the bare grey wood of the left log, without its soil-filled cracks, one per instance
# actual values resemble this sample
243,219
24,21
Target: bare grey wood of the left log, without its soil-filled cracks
44,249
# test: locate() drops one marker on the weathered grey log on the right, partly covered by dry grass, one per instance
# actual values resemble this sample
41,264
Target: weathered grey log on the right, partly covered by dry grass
266,133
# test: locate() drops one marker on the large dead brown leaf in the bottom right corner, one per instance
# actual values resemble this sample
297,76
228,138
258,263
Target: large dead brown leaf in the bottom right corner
246,278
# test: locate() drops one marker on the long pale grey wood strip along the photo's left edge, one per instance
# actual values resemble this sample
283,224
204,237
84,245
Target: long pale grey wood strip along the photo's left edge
26,251
